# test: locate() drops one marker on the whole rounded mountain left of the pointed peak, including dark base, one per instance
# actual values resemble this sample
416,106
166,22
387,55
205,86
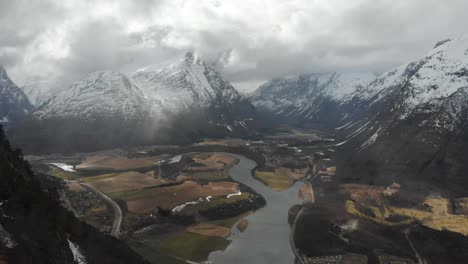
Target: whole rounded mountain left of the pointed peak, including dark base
103,110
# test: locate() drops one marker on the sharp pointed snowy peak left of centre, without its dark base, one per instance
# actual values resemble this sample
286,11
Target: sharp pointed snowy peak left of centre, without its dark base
190,82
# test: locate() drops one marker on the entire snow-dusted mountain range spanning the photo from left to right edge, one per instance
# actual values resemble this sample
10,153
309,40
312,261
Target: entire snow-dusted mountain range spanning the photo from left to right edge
405,124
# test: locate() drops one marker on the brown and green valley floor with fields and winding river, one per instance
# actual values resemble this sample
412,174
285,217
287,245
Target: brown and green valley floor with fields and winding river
192,203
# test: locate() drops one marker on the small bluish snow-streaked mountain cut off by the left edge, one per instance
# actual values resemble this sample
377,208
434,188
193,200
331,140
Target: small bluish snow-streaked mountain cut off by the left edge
14,104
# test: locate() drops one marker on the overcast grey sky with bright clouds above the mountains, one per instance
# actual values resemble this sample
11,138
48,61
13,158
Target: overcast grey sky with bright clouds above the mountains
249,40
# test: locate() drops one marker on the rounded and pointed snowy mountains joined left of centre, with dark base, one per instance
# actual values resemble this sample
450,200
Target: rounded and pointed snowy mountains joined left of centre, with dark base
176,104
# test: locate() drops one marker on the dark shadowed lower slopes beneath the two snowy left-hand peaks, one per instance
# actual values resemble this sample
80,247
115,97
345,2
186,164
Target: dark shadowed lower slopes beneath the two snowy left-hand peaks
71,135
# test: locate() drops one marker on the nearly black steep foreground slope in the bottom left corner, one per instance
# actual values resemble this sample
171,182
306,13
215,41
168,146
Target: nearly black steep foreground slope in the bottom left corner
34,228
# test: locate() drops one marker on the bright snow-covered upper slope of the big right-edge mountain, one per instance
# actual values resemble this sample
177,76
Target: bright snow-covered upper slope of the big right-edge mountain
442,72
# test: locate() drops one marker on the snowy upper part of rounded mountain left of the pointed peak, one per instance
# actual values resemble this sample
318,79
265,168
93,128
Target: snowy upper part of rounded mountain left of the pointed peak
101,94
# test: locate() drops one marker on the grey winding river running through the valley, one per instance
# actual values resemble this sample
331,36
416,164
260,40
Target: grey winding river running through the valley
266,239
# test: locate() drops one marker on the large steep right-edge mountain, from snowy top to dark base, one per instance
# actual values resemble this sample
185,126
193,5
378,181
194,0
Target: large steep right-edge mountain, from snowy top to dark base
416,126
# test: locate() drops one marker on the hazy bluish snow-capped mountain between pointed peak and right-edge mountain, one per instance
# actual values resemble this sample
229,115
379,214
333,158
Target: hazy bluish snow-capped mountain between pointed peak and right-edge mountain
309,97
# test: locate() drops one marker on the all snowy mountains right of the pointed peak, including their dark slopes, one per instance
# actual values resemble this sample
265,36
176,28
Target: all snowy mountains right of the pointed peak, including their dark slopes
408,124
